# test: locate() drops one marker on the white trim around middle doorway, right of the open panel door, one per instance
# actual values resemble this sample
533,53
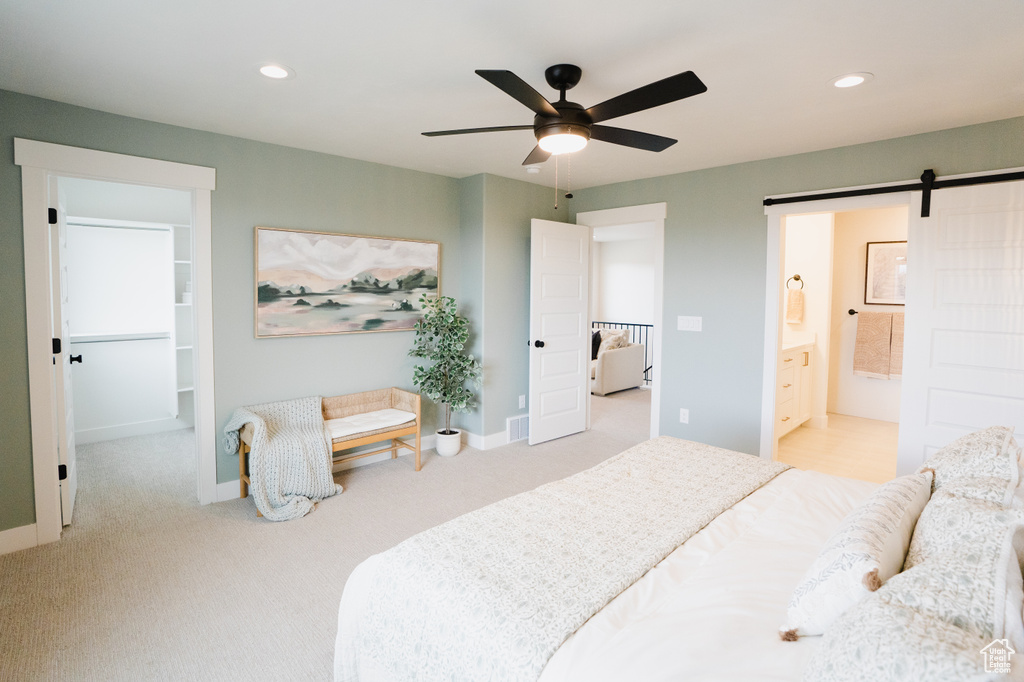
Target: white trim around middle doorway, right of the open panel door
657,215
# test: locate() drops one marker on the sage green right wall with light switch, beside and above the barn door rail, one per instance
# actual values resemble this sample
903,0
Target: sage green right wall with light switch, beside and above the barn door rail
715,258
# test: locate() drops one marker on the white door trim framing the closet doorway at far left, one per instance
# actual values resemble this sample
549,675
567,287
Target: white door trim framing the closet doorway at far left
39,161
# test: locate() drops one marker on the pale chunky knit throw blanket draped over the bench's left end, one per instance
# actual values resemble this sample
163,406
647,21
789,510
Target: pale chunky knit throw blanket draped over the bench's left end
290,461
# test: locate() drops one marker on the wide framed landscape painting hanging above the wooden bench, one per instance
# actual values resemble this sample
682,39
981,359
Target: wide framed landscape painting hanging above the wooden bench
323,283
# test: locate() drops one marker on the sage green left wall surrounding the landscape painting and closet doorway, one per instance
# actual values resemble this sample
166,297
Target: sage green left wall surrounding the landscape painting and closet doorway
258,185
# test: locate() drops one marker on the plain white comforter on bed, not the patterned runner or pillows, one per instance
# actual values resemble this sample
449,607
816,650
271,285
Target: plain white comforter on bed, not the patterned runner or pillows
710,611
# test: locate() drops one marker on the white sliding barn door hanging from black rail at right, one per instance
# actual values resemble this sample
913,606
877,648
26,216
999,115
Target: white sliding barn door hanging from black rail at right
964,351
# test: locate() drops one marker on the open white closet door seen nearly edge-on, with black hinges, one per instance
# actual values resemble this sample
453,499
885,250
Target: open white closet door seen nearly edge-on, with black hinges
65,421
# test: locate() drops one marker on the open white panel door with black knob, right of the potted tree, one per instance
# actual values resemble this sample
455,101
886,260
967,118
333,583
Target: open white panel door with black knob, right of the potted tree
560,335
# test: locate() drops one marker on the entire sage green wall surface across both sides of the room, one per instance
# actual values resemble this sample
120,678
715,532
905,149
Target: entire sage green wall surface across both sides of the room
715,265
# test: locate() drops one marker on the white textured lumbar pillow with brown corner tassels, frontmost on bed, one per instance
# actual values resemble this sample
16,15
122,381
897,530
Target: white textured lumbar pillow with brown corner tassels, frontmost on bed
868,549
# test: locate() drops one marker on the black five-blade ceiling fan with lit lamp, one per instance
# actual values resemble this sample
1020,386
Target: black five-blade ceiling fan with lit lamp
565,126
